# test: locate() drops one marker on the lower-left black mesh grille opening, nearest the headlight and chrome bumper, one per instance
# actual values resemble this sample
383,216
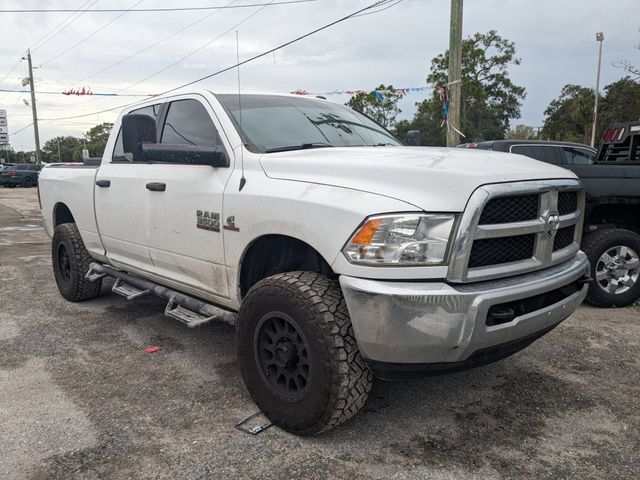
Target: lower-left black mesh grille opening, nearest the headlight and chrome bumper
501,250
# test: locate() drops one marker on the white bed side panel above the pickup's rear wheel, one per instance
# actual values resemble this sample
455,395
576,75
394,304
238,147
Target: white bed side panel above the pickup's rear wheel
58,186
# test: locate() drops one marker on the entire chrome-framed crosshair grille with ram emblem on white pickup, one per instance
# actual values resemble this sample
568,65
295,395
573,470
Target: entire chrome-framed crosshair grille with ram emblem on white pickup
514,228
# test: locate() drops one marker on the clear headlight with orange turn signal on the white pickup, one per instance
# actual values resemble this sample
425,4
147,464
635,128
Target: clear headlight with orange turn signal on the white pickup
410,239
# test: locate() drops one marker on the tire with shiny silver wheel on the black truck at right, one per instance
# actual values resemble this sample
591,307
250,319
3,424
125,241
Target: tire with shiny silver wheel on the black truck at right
615,267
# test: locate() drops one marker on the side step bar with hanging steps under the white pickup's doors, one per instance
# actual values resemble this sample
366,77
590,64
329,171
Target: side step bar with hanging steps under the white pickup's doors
188,310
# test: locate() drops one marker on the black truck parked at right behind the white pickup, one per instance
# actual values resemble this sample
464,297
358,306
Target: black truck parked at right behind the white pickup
611,177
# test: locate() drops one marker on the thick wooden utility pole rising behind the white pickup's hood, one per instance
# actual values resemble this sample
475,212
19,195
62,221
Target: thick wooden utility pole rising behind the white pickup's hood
455,72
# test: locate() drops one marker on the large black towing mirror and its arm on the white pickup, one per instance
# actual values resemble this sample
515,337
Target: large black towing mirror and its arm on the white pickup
140,140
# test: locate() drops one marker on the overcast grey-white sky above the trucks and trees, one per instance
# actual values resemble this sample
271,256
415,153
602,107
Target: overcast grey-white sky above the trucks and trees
115,52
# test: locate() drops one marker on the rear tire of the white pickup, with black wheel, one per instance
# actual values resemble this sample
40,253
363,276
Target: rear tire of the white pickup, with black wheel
70,264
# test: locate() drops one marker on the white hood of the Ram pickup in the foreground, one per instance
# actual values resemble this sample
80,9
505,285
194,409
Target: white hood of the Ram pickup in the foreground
430,178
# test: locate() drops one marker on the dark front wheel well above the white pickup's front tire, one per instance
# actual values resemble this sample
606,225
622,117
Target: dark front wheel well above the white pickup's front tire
273,254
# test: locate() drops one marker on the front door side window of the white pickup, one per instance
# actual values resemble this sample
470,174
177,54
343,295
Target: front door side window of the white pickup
189,123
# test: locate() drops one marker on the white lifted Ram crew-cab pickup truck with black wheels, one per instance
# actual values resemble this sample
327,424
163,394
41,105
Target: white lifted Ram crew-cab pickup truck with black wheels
345,254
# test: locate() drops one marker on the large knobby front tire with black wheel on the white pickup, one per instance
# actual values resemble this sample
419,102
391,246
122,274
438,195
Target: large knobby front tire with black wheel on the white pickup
298,354
